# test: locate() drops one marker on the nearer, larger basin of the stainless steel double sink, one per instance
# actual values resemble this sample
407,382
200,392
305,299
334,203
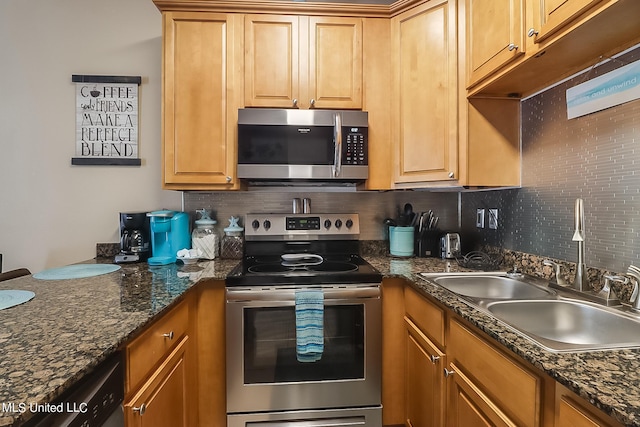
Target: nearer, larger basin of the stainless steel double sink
569,325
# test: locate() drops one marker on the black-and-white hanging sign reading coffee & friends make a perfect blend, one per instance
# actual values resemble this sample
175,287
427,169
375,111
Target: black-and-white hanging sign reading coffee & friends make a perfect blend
106,120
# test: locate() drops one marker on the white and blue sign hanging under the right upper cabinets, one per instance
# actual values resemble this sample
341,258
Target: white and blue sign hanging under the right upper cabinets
614,88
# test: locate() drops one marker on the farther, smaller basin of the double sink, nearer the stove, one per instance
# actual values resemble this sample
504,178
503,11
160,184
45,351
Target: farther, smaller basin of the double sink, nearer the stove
491,287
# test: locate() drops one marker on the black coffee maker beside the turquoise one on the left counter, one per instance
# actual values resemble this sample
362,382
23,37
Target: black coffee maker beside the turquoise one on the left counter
135,237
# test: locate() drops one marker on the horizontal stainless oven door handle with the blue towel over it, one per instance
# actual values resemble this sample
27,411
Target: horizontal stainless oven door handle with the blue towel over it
289,294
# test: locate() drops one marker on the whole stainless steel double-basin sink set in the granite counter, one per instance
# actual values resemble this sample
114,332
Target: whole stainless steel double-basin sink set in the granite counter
547,318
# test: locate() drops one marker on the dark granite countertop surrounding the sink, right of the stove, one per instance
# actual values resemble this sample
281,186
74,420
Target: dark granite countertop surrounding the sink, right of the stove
609,379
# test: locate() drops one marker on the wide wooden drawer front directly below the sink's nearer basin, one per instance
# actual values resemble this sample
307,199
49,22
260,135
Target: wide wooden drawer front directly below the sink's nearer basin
514,389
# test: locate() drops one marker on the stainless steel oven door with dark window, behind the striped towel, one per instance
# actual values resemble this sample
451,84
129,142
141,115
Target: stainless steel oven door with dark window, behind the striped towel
263,373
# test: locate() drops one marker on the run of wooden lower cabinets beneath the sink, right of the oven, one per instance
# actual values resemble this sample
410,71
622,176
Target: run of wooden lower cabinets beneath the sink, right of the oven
455,376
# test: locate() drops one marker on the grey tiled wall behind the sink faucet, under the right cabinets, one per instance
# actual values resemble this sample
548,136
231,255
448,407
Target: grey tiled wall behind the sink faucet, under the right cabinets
595,157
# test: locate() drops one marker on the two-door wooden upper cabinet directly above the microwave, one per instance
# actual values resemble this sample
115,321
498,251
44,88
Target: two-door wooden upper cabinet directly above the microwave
303,62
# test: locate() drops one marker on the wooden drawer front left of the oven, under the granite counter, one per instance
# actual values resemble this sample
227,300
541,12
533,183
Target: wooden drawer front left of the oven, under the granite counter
144,352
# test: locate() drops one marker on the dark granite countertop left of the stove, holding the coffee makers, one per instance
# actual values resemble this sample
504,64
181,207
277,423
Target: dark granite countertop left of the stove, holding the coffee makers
70,326
